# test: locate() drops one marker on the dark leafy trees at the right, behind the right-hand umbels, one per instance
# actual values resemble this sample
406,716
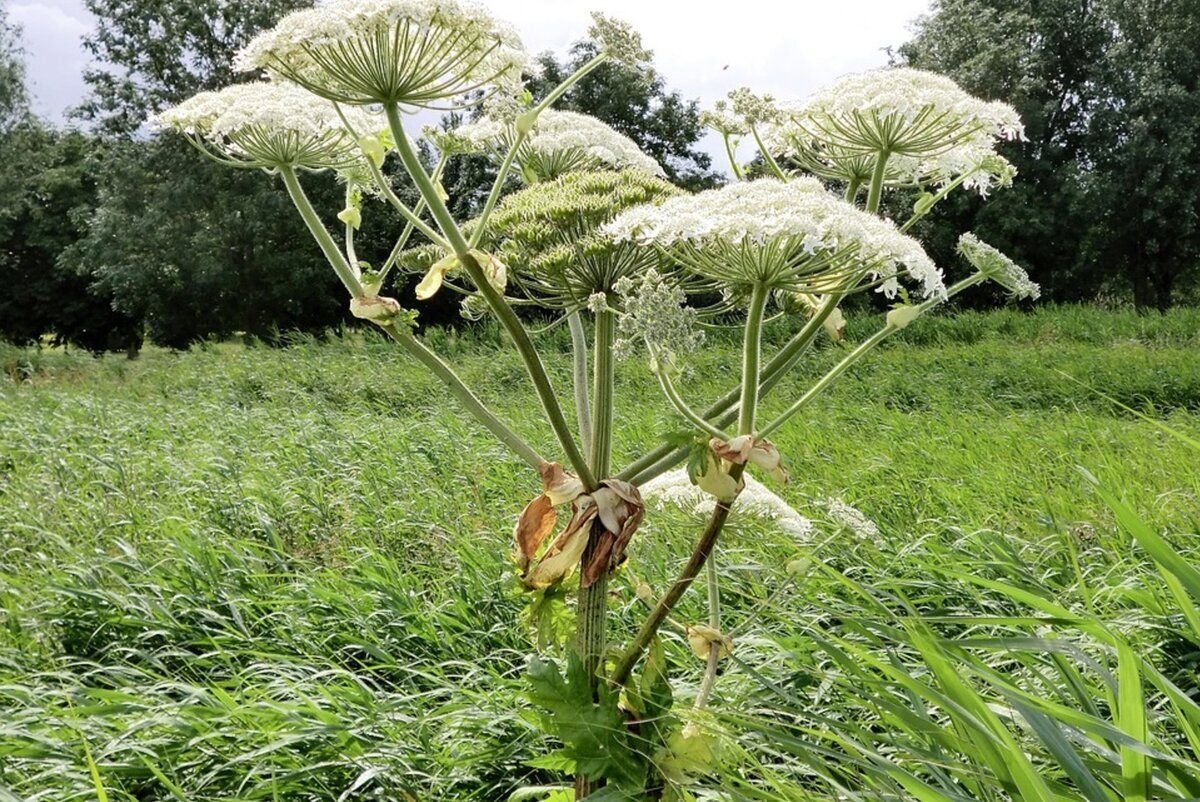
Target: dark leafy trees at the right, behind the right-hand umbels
1106,201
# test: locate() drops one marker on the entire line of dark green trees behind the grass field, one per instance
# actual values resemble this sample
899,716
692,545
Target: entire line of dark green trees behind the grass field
111,235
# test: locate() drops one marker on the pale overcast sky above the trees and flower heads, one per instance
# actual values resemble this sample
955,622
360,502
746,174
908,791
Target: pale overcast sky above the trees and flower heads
703,49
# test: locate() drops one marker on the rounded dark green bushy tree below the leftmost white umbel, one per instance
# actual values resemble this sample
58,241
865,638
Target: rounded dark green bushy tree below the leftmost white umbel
199,252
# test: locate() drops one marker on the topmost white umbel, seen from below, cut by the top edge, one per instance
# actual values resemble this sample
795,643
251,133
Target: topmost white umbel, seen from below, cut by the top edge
417,53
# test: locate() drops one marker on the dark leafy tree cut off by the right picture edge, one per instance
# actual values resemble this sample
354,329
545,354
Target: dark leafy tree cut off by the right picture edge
1144,187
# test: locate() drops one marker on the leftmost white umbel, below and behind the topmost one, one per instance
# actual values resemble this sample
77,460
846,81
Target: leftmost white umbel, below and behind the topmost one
271,124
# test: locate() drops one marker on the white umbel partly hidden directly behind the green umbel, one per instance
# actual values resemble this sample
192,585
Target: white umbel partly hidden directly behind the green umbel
561,142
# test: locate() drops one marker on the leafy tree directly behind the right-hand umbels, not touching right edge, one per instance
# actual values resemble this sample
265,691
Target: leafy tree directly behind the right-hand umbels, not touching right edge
1040,56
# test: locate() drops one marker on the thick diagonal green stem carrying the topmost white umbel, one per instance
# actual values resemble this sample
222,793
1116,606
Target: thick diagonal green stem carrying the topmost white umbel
501,308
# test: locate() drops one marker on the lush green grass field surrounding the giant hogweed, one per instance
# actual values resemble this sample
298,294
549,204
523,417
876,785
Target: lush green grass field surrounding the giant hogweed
283,574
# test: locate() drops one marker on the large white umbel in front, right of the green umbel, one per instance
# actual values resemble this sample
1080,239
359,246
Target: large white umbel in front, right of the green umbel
794,237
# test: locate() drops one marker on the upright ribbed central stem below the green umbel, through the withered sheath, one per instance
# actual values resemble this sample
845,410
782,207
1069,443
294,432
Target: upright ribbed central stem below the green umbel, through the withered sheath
592,626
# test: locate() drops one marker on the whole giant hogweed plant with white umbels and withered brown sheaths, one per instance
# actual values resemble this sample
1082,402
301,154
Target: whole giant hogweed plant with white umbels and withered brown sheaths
598,236
